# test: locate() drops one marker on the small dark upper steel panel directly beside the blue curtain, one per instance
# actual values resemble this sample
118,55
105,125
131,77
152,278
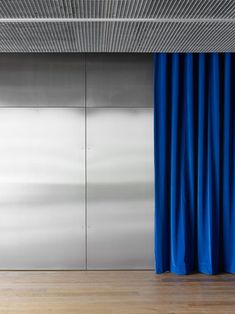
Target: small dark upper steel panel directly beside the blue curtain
119,80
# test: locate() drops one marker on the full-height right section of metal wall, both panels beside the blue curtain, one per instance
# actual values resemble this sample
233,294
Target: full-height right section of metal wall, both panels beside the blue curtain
120,210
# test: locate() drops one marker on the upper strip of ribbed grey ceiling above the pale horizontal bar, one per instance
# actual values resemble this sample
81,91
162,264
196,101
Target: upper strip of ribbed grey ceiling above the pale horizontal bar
117,9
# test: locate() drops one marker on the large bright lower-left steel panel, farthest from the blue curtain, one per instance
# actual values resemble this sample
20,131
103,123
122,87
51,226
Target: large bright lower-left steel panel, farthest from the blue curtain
42,188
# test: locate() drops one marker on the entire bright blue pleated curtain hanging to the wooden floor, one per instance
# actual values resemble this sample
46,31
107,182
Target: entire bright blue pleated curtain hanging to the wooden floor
194,163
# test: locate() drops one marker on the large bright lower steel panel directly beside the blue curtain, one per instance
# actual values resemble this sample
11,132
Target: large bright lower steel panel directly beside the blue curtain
120,209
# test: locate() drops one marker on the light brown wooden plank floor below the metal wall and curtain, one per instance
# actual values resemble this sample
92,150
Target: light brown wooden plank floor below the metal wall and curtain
111,292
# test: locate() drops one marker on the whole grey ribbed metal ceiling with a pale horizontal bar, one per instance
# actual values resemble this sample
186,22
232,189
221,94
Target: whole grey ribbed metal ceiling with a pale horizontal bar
117,25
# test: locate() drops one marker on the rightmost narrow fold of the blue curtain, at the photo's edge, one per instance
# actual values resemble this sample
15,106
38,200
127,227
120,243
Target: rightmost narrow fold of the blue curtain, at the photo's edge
228,164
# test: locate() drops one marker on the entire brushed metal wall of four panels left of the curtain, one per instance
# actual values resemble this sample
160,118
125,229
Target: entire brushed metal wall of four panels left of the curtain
76,183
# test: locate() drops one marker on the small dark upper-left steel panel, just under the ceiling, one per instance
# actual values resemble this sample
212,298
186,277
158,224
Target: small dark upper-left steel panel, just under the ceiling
47,80
